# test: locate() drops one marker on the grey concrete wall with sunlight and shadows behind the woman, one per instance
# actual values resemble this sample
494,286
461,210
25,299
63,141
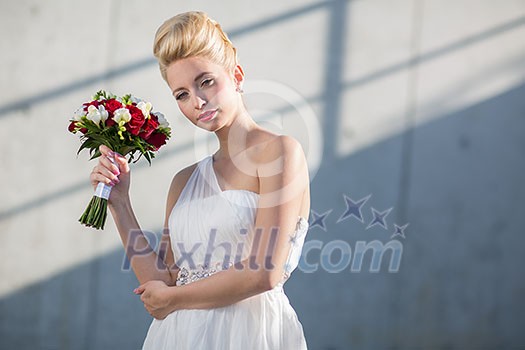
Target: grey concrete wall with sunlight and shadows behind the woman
420,105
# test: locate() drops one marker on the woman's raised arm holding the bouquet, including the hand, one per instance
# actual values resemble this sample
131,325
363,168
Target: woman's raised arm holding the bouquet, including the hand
145,262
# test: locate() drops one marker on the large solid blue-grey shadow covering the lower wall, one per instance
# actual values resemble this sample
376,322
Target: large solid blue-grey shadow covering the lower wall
460,274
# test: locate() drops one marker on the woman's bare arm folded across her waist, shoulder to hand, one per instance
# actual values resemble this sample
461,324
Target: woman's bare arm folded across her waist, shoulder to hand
281,193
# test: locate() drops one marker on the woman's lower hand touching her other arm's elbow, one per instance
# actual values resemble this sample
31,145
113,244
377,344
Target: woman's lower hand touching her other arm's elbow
156,298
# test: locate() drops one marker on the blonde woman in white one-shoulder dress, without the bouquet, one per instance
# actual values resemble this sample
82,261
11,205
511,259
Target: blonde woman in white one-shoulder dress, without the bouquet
235,220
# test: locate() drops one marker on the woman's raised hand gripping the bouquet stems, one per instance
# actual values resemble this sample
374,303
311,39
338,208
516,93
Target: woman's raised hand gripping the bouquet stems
117,175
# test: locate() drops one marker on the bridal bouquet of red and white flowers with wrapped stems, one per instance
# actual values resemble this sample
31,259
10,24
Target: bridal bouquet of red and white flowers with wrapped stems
124,124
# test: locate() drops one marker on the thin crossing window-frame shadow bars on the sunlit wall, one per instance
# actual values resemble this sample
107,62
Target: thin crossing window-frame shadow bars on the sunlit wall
330,95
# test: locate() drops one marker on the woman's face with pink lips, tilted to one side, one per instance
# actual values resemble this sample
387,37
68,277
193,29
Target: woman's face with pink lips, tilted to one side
205,92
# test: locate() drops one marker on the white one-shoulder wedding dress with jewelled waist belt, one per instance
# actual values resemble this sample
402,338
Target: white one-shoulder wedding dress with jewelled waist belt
206,225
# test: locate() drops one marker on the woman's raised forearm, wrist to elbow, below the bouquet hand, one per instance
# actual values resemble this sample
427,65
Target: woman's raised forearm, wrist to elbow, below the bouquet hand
145,262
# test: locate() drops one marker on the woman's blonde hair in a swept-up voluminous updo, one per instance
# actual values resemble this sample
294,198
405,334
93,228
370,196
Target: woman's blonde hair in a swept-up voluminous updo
192,34
